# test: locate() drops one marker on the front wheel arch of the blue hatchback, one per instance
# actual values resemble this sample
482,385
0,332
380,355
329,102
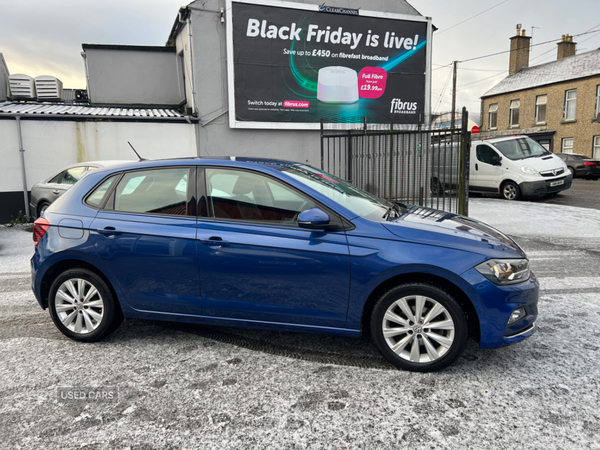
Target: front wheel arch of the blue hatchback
426,278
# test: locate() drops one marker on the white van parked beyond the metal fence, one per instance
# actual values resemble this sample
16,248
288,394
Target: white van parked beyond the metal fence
516,166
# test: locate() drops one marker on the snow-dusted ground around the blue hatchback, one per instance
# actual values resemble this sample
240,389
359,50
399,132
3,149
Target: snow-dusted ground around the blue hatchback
184,386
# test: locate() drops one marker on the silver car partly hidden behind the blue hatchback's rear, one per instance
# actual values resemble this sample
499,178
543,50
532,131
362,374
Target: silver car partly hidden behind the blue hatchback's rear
44,193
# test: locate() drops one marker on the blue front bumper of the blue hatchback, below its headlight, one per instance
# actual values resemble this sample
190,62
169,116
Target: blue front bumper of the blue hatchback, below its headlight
498,303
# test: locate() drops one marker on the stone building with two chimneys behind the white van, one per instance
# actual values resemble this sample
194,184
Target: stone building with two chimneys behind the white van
557,103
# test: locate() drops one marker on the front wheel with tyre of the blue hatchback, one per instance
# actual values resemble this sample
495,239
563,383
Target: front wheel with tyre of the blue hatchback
419,327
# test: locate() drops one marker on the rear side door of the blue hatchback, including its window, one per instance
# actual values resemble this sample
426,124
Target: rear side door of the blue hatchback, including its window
145,235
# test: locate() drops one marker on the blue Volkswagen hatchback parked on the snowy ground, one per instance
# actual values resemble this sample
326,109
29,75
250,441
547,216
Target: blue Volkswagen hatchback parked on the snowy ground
277,245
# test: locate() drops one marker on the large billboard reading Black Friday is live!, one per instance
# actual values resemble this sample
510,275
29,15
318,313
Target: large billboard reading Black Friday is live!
291,65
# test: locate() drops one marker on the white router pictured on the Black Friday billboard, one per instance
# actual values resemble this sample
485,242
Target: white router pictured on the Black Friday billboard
337,84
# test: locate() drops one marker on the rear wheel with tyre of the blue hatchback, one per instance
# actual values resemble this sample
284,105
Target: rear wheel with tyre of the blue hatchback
82,306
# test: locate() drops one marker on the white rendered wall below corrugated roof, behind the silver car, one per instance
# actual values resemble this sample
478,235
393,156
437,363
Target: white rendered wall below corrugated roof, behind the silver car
51,145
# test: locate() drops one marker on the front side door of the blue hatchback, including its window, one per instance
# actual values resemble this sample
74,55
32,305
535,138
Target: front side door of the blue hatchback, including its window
257,264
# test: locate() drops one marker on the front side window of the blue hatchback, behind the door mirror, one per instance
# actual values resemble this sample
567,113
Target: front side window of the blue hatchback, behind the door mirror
241,195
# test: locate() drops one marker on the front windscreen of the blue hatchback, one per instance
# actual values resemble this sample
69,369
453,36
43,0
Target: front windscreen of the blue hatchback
350,197
